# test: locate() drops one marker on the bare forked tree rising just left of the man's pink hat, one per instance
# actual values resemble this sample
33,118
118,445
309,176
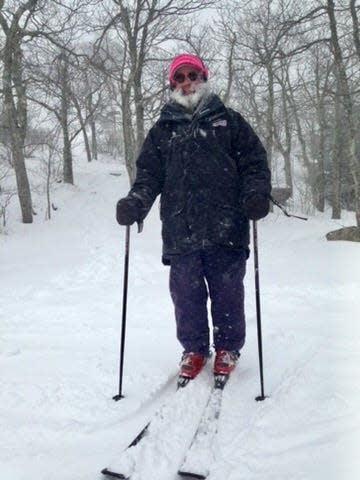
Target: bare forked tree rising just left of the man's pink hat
142,27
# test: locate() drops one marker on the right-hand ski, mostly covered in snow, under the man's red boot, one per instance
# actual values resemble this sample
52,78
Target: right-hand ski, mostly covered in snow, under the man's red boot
196,465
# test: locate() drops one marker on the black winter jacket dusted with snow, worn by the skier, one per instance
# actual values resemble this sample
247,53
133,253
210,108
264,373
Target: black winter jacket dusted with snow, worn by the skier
203,166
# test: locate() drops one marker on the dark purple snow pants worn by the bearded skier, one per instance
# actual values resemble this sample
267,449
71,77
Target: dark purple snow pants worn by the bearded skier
214,273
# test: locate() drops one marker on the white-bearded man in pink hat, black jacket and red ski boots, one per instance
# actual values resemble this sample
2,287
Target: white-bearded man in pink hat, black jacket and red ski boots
210,170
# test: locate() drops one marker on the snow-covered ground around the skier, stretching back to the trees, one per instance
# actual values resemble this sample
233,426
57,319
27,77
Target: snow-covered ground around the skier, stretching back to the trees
61,295
